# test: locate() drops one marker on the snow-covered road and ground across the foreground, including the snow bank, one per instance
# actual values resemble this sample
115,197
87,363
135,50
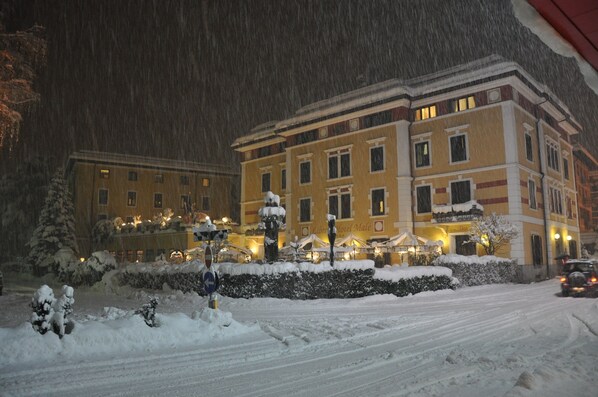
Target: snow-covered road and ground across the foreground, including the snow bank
513,340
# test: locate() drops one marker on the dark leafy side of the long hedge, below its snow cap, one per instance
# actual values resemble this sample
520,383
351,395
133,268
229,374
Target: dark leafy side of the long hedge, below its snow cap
334,284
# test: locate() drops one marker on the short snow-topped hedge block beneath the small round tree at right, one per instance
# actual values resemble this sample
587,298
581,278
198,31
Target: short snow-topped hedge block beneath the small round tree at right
479,270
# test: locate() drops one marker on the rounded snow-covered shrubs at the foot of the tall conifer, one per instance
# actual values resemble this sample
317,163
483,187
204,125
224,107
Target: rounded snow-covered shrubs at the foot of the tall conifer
87,272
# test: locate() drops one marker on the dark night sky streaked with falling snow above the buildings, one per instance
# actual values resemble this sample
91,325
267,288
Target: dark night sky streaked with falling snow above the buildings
183,79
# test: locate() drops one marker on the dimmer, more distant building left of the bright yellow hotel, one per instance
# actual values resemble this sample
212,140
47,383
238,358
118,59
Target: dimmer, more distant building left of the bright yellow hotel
131,190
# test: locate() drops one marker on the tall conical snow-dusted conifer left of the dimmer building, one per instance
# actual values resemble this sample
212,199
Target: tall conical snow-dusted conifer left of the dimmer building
56,225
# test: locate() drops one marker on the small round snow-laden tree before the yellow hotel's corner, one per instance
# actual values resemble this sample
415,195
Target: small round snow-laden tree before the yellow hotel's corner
492,232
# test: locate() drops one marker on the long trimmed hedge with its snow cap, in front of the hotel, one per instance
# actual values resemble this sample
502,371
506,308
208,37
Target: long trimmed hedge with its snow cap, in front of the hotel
348,279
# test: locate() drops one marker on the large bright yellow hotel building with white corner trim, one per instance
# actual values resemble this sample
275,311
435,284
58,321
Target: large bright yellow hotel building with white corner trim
425,155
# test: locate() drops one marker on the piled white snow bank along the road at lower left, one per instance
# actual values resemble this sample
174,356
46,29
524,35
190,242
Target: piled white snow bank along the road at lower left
117,332
